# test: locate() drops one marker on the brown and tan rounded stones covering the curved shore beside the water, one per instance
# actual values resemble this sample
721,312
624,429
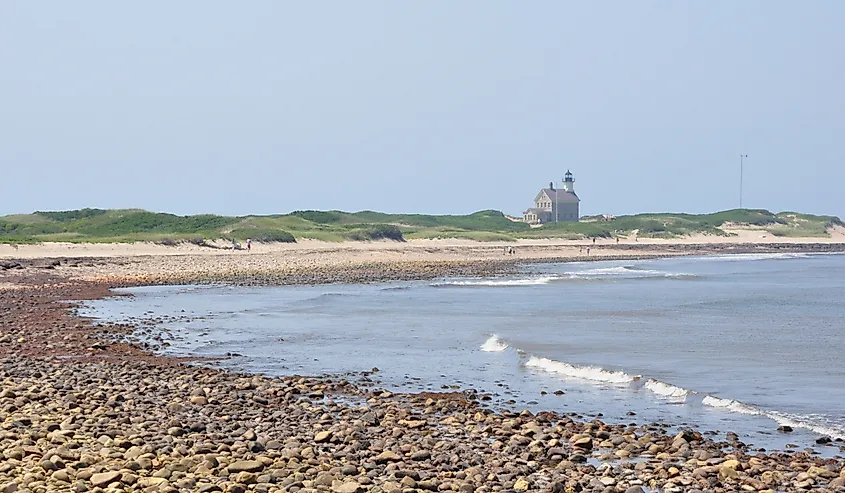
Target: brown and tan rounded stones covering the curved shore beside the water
223,431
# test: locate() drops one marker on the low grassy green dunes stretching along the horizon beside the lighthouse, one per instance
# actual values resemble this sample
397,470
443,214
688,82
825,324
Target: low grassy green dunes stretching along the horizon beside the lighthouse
127,225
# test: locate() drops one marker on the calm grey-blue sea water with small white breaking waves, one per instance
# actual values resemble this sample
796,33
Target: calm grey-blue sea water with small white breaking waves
741,343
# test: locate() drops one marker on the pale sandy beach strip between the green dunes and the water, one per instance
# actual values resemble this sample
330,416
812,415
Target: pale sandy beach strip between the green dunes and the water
315,262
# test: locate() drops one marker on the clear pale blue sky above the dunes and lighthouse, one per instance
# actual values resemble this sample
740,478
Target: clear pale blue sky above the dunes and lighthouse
440,107
